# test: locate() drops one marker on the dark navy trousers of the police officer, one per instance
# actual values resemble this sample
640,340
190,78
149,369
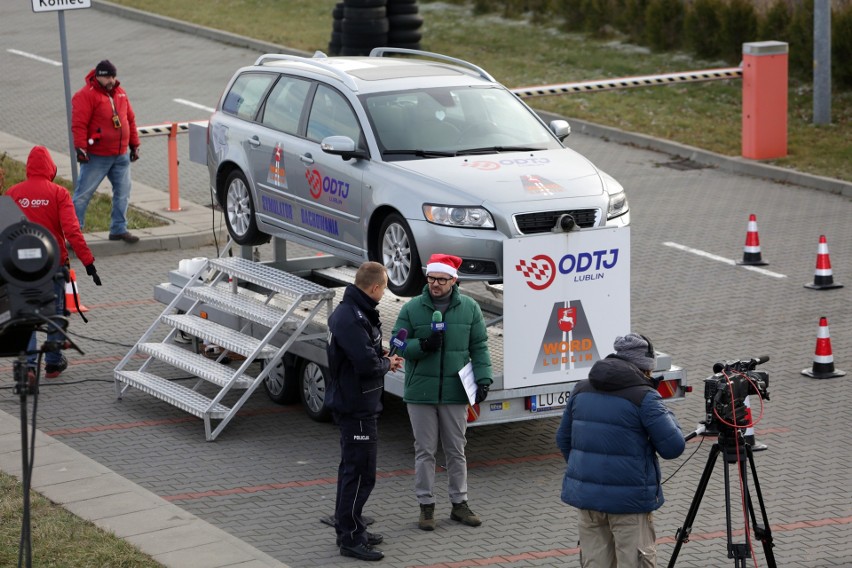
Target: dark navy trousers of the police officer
356,476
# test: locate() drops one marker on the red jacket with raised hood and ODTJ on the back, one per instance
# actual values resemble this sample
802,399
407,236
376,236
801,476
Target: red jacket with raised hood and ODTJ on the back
50,205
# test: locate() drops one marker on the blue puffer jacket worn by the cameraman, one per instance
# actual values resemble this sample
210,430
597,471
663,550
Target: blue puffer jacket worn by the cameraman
613,427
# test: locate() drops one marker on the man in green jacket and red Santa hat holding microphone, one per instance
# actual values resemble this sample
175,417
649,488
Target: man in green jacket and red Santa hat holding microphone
446,331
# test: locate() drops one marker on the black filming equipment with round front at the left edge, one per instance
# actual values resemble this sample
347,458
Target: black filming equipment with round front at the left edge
29,266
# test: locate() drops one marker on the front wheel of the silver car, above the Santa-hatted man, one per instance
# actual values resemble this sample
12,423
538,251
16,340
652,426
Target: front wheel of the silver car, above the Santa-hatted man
397,251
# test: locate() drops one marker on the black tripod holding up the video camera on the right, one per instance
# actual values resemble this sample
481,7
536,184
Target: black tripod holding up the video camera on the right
730,445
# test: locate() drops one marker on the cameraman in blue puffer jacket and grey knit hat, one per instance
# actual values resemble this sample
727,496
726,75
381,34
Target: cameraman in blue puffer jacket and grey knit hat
613,427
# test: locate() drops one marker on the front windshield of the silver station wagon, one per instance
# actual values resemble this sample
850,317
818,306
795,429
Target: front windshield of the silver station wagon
450,121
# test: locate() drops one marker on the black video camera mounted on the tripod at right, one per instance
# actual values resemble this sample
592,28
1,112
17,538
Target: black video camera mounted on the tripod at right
725,393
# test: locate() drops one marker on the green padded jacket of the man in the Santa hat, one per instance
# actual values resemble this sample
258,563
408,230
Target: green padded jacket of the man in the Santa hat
433,377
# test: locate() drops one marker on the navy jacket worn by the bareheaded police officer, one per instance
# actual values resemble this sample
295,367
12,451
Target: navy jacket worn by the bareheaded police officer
356,363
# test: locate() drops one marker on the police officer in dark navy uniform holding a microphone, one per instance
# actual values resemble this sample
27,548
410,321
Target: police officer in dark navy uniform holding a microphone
358,365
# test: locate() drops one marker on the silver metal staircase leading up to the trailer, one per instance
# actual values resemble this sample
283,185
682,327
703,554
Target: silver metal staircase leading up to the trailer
268,301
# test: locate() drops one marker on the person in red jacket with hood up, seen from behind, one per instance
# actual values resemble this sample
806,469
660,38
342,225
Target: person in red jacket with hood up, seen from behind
49,205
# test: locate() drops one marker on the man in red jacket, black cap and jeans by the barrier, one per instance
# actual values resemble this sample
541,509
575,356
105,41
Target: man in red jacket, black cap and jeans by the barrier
104,127
